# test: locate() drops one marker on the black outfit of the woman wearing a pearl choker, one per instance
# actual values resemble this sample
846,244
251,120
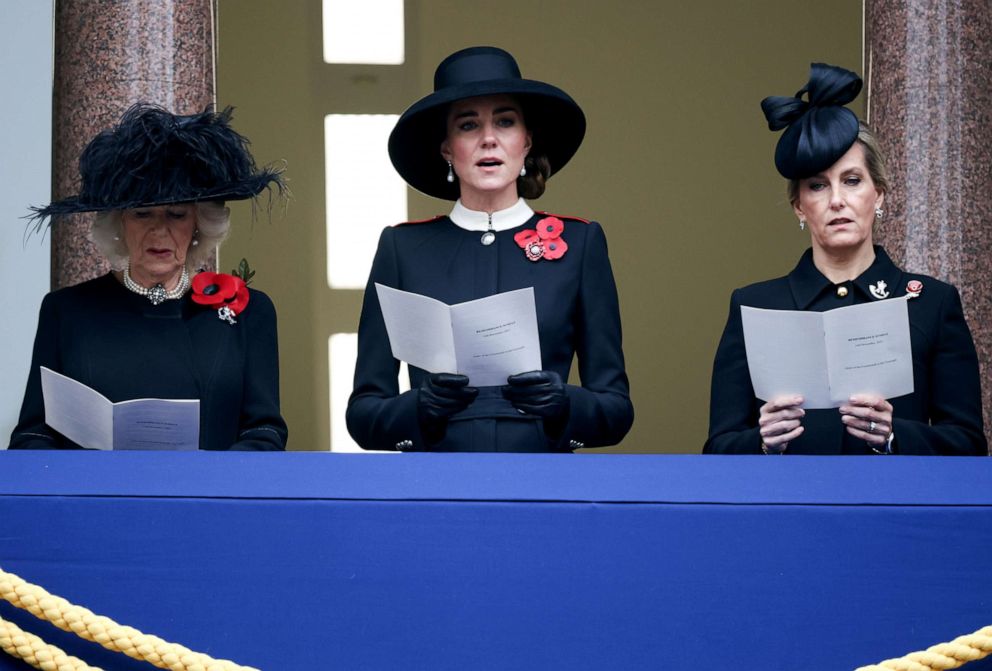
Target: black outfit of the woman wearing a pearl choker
121,345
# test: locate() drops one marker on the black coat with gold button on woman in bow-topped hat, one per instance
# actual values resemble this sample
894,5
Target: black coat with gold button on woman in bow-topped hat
942,416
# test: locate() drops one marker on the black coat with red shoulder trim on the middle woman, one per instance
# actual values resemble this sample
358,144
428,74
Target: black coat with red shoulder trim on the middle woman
577,314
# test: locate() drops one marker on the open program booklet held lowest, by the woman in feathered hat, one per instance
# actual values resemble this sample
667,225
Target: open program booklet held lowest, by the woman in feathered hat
89,419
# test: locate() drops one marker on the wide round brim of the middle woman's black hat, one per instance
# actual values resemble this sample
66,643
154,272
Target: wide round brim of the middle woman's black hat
556,121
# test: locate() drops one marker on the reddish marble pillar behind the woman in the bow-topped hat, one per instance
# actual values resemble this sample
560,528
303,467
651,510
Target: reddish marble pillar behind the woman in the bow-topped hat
928,73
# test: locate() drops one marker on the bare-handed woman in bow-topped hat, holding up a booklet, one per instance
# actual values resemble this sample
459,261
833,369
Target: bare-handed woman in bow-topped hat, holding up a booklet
837,188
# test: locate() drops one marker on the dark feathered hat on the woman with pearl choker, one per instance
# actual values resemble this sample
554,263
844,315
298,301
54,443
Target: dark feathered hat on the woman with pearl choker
153,157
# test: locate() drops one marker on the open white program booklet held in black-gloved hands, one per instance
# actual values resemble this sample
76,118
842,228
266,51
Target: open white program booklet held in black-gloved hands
487,339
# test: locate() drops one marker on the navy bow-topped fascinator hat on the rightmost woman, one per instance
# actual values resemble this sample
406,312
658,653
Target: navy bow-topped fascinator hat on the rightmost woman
819,130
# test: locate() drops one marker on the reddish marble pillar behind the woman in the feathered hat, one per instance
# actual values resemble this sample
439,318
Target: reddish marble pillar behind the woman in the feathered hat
110,54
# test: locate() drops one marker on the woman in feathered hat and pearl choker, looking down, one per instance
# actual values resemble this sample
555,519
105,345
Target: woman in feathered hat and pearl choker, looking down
157,182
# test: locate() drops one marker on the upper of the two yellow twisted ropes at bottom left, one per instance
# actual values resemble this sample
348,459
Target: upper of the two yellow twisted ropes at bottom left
105,631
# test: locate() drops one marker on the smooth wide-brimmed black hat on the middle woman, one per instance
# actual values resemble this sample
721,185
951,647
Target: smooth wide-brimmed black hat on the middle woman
556,121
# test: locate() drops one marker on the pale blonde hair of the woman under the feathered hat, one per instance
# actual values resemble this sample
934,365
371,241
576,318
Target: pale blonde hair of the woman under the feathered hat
213,221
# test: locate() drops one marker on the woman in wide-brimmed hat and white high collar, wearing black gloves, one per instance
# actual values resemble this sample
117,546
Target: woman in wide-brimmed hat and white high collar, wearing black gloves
487,139
